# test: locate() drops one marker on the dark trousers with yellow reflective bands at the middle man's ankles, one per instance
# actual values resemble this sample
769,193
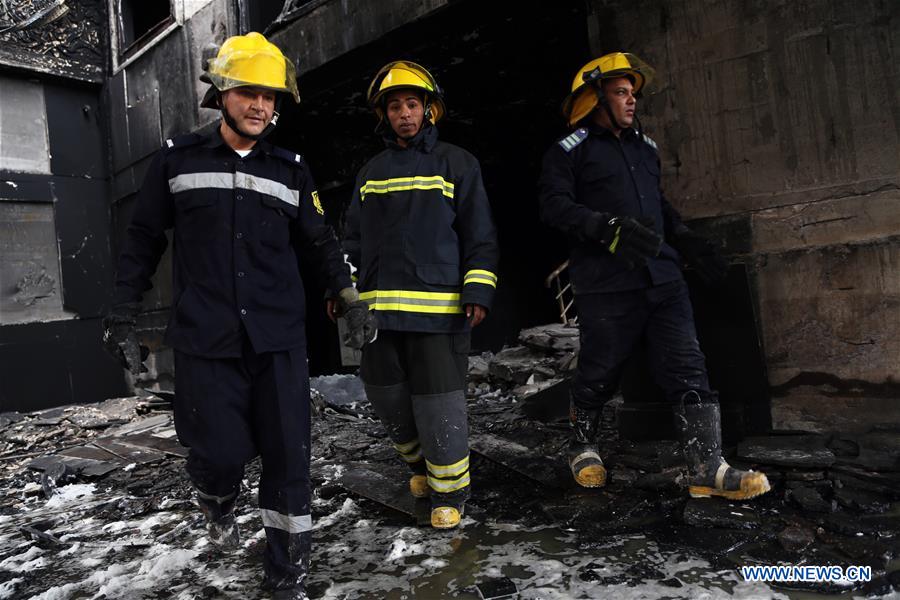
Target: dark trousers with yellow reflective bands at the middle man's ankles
416,383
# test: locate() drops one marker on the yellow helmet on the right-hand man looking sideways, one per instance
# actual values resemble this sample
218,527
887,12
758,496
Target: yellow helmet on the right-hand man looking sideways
583,98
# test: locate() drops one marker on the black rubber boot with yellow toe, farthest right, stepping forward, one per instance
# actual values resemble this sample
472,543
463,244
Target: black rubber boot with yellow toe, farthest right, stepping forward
699,426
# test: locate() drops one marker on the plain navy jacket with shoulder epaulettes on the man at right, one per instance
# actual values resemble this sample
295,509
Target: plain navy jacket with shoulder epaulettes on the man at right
591,170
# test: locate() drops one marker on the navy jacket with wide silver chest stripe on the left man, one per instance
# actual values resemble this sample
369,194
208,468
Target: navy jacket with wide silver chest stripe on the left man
239,226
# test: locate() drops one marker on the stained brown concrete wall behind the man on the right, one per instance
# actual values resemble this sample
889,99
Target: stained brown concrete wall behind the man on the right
779,124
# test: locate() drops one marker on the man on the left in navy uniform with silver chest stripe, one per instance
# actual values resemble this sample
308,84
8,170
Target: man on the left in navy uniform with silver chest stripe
241,210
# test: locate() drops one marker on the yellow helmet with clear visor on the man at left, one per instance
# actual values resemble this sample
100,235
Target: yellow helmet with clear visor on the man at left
250,60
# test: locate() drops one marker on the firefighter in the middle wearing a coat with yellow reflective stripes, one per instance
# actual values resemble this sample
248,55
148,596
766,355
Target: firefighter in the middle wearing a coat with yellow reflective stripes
420,231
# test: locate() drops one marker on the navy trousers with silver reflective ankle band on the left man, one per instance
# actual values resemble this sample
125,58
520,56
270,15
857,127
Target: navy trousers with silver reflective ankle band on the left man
228,411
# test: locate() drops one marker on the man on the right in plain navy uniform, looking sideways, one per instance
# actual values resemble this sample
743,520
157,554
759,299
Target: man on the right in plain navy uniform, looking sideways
600,186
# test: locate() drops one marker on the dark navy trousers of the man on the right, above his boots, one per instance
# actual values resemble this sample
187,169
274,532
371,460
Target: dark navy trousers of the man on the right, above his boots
612,324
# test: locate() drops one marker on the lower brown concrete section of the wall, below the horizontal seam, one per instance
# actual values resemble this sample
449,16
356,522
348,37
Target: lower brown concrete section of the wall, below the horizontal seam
831,320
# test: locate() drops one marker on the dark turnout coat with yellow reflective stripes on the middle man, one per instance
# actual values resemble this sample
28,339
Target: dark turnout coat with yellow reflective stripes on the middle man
420,235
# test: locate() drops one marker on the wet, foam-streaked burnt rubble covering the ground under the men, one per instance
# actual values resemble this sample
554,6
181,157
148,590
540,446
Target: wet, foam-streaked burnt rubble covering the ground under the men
106,483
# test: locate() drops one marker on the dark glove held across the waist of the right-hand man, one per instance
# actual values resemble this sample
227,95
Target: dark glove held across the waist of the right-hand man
625,238
